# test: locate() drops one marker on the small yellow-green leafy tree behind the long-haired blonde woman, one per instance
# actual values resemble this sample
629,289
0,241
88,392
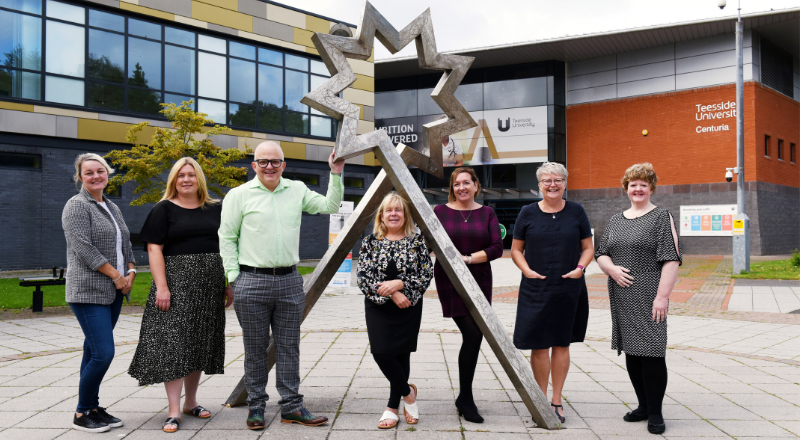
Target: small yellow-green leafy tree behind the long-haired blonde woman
149,165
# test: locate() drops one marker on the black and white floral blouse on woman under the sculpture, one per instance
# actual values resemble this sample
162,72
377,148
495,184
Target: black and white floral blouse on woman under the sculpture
413,262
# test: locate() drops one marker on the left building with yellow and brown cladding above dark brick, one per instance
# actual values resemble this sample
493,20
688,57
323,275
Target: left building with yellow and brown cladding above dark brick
75,75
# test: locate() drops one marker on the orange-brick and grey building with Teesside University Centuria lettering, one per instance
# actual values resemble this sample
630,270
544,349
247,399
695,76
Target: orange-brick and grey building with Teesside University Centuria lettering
600,103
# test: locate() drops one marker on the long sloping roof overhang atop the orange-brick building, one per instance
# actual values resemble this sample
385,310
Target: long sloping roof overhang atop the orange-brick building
781,27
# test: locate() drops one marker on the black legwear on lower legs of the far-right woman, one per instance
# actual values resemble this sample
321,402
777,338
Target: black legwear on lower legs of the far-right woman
649,379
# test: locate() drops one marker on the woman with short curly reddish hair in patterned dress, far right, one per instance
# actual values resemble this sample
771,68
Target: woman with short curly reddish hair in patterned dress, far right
640,253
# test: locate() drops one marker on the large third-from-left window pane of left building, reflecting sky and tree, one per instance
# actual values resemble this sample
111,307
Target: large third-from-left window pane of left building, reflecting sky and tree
106,56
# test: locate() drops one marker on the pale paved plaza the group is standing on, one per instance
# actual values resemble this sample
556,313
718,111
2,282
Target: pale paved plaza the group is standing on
729,378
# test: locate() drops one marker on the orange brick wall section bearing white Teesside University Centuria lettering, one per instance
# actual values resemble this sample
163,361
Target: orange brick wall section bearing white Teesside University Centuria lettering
604,138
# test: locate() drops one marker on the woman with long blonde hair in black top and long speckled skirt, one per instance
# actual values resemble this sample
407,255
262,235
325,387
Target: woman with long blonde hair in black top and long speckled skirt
183,327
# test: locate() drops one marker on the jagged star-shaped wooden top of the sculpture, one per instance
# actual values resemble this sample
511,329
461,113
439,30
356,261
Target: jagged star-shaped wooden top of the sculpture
335,50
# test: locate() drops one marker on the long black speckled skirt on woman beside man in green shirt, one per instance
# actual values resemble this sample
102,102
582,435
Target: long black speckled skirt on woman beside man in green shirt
190,336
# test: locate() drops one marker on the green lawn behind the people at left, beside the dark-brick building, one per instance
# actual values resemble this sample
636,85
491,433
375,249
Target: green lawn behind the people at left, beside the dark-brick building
12,296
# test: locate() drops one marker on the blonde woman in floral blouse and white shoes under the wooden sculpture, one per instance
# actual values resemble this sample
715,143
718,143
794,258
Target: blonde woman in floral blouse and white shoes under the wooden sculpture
394,269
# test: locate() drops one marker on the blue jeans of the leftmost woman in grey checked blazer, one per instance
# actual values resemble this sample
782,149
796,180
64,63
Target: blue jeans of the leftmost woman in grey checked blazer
97,322
